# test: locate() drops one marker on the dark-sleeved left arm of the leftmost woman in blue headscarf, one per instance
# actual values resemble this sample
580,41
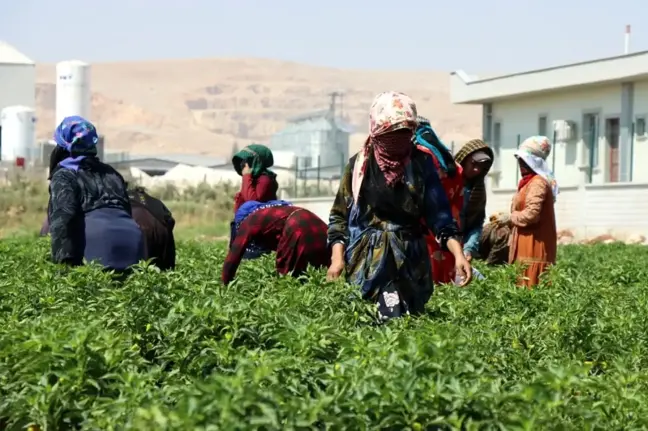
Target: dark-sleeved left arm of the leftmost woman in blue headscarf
64,206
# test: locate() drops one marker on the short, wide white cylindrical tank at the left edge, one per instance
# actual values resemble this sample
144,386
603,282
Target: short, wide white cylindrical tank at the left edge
18,134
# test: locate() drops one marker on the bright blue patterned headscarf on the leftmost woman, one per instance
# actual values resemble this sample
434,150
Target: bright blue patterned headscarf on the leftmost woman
79,137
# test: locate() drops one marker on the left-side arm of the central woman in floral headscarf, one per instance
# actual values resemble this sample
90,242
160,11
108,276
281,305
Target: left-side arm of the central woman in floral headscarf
338,227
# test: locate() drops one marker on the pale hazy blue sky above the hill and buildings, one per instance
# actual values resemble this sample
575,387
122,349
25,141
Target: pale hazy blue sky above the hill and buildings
490,36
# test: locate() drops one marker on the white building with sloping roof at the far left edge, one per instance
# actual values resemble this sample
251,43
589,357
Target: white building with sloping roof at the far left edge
17,78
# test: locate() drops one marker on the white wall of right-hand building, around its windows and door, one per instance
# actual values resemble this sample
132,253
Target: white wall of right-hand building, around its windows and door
520,116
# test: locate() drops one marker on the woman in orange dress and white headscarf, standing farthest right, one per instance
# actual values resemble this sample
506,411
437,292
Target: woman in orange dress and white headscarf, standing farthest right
534,238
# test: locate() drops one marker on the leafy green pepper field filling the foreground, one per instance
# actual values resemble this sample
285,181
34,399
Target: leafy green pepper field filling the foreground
178,351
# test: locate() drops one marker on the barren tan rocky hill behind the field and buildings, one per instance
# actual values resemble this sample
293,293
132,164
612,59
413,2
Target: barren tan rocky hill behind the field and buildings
205,106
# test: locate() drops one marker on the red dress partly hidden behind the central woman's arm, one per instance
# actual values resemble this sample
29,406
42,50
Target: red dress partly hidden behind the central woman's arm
443,265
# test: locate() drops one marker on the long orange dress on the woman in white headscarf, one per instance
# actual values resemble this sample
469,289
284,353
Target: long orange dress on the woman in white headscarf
533,239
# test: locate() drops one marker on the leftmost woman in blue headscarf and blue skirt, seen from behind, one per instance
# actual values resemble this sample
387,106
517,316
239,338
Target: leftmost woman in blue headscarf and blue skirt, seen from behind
89,212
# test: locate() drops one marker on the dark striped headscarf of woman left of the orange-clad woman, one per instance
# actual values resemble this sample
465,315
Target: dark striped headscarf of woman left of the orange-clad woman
475,210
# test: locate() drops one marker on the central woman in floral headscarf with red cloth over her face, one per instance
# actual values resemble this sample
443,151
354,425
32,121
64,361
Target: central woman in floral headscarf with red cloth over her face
389,192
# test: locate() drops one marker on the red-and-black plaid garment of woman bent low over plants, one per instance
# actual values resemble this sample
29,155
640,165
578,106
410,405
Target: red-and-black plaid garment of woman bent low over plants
298,236
